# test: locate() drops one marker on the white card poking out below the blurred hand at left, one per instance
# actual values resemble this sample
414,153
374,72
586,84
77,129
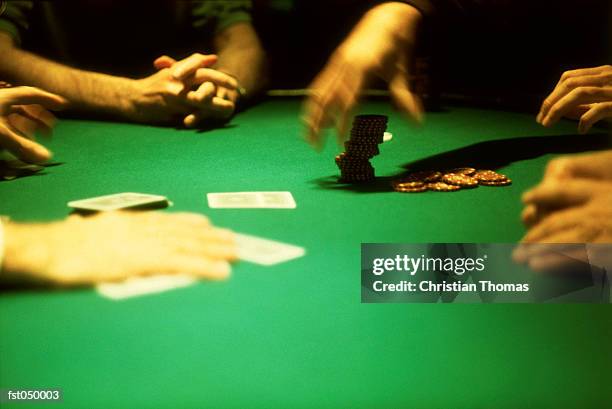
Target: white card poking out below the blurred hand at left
139,286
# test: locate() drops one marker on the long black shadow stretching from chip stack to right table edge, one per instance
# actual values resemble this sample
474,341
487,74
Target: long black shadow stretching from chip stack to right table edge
483,155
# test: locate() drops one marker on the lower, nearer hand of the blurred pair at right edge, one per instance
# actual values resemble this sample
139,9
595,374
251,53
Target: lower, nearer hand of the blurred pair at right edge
565,215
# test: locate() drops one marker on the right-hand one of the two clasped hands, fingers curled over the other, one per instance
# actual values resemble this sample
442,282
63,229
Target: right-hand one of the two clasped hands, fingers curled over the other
211,94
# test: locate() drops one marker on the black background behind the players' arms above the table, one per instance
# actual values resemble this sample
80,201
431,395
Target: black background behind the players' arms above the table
492,52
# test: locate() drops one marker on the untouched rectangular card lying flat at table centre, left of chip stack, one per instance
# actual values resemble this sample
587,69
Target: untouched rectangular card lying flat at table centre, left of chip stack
251,200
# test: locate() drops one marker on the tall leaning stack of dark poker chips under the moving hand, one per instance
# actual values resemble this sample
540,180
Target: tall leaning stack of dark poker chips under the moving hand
367,133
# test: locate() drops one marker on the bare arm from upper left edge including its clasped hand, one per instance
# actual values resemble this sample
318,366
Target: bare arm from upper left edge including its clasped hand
158,98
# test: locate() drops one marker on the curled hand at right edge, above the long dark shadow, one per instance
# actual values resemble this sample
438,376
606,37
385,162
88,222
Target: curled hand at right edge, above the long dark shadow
584,94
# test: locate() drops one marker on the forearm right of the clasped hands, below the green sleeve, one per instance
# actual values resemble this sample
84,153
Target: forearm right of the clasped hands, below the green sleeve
242,56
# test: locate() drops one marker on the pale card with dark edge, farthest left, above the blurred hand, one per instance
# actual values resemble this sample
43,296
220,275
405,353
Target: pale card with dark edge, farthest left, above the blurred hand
119,201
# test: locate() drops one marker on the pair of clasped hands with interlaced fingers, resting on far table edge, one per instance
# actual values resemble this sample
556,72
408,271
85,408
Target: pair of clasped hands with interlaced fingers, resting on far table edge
185,89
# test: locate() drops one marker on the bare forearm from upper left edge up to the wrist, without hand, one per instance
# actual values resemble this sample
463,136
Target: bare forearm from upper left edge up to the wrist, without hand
86,91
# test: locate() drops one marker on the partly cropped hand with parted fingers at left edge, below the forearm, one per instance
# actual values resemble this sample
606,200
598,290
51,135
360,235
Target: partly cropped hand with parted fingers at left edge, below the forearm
23,112
